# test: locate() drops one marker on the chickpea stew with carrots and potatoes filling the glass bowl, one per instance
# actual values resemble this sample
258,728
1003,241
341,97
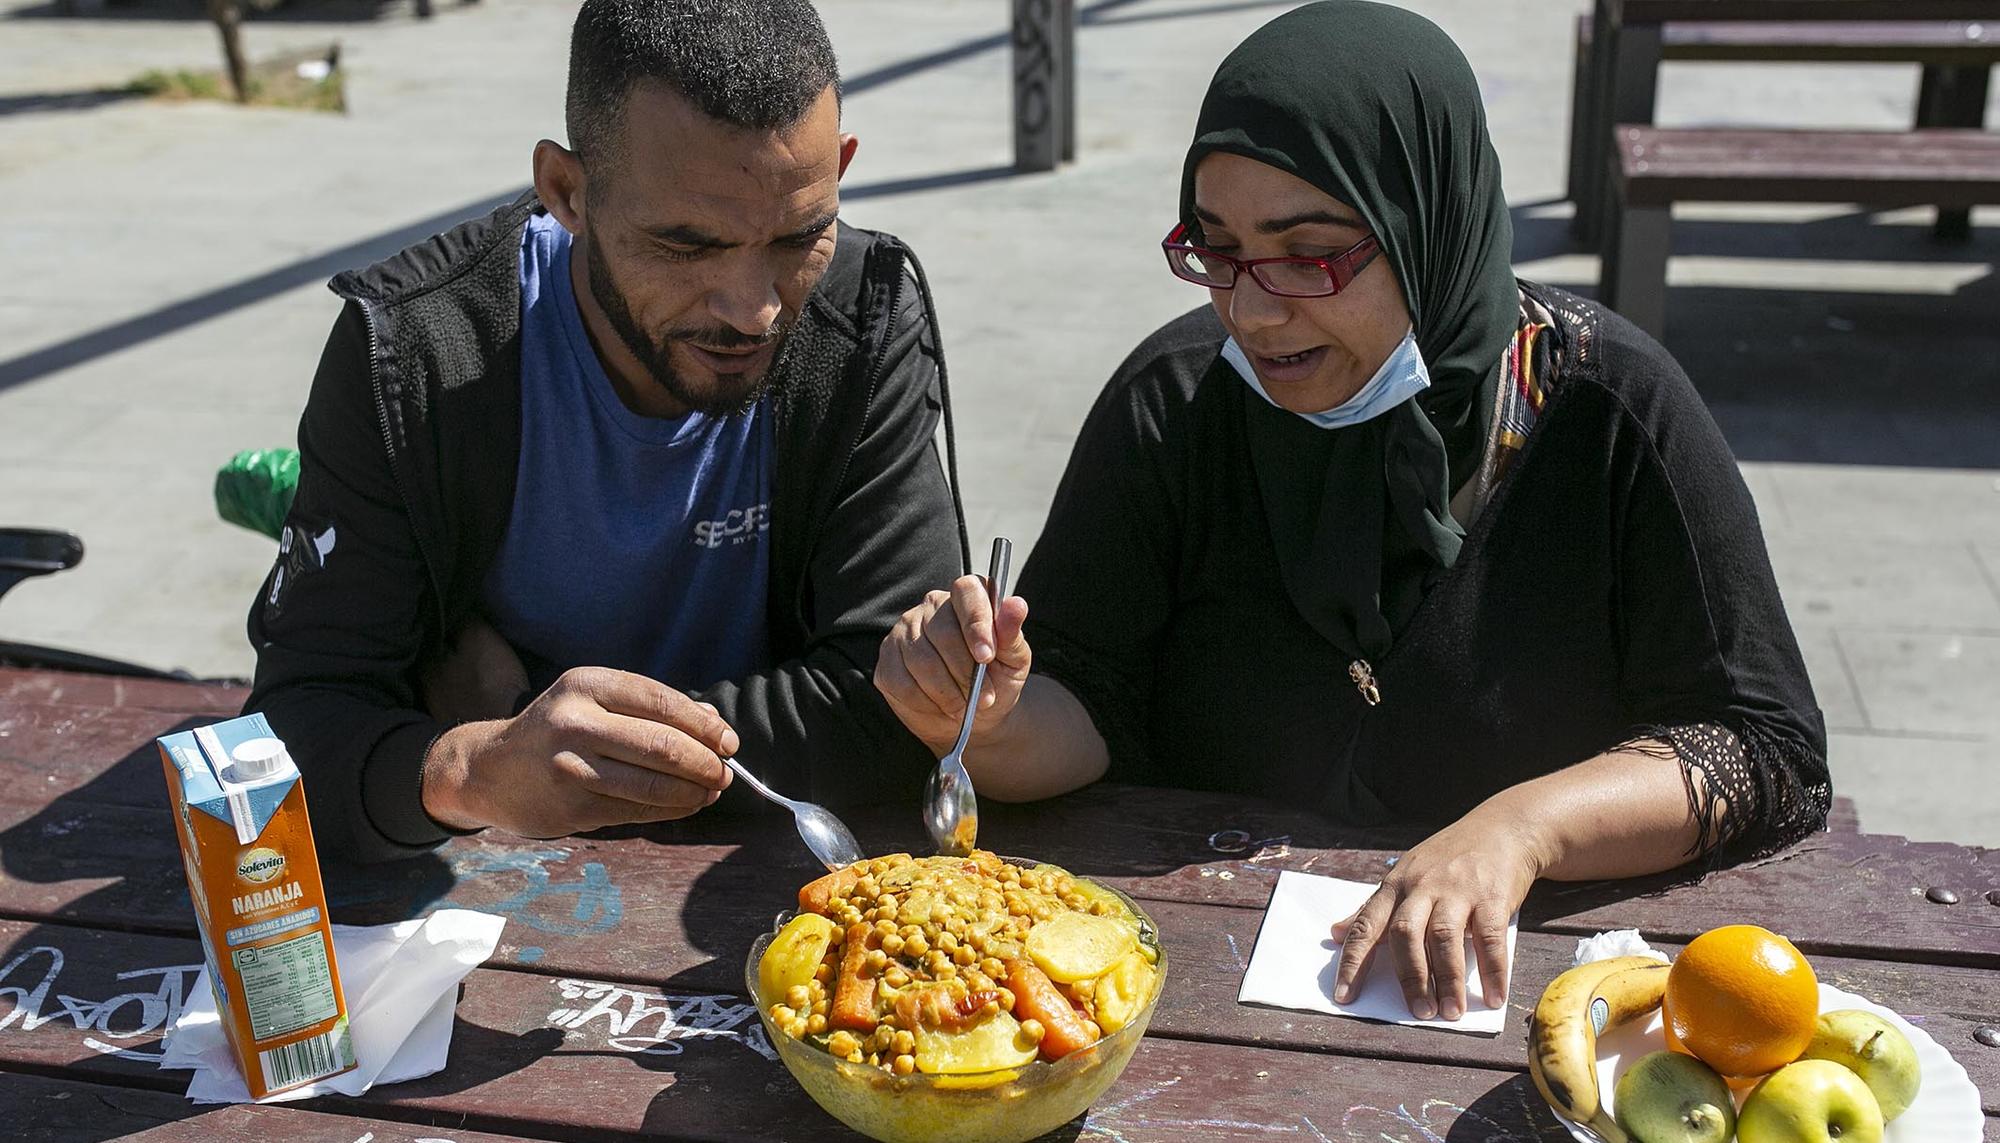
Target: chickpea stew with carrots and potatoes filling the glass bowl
953,966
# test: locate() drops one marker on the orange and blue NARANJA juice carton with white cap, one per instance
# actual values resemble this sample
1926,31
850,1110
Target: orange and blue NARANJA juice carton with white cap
255,878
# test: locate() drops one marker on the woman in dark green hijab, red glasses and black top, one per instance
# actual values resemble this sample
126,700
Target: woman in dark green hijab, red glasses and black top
1393,535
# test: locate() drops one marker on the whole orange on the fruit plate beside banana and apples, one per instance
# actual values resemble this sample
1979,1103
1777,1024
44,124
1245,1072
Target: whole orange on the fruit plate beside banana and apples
1741,1000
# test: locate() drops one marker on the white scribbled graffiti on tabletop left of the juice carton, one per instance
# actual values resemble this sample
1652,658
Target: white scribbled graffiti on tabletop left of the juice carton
147,1010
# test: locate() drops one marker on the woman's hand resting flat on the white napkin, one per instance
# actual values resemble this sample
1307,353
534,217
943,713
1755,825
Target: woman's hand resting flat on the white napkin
1463,882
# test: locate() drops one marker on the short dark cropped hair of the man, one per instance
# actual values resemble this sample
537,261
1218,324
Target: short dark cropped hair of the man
747,63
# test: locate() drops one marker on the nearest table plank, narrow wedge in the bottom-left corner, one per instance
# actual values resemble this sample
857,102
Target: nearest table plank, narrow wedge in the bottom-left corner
49,1110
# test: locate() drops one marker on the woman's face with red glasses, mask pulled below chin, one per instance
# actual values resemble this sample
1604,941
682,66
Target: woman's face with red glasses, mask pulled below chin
1309,353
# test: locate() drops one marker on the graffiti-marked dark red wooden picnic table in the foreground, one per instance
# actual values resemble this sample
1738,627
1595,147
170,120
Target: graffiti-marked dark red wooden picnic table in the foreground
613,1008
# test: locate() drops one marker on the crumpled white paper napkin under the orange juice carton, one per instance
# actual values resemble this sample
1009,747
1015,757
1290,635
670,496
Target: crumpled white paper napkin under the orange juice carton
401,984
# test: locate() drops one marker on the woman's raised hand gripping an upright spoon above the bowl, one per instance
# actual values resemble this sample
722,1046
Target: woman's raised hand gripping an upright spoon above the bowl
927,662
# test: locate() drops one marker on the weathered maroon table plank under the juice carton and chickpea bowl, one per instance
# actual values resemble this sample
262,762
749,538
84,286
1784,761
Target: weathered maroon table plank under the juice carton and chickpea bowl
545,1056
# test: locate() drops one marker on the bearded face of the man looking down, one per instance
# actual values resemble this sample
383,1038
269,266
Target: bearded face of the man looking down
703,243
